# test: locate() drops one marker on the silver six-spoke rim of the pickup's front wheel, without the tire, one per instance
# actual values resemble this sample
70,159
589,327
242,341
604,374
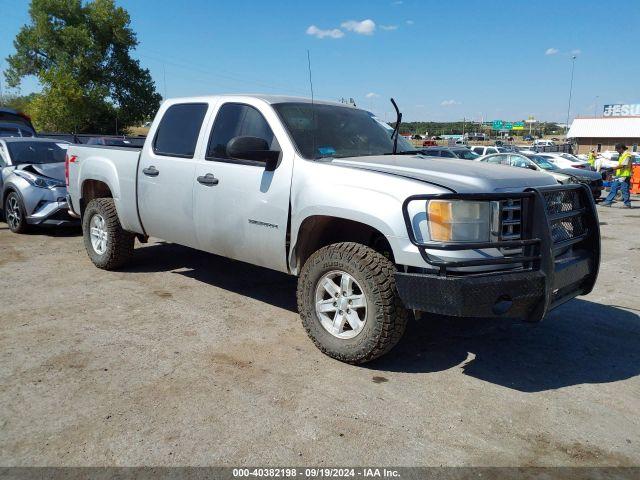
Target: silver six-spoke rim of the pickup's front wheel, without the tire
341,305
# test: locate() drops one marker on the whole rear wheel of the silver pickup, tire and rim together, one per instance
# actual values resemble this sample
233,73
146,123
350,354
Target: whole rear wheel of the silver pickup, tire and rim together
108,245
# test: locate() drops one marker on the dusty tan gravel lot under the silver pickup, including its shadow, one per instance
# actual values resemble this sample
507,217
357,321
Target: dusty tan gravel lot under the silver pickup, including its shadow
190,359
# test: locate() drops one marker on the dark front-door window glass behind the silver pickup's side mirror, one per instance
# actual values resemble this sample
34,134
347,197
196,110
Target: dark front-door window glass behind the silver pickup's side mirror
234,120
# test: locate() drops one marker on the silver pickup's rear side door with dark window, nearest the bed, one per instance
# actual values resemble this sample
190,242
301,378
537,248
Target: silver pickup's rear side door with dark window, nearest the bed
166,174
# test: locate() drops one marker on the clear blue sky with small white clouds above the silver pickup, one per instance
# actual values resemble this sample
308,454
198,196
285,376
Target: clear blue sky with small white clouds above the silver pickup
440,60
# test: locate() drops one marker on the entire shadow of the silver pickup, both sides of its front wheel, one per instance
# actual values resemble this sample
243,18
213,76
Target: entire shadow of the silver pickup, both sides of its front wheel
579,342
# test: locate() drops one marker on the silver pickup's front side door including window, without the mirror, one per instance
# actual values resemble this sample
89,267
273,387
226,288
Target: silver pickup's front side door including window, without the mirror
241,210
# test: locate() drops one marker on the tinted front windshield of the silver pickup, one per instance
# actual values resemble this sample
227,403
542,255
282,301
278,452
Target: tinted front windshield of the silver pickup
321,131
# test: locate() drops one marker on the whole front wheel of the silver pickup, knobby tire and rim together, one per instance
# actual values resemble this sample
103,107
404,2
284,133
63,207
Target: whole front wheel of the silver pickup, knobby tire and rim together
349,304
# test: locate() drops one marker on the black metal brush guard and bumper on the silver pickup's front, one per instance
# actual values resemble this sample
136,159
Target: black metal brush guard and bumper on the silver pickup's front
545,274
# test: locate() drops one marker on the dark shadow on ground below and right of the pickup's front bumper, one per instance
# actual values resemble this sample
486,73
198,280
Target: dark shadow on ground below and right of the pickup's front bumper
580,342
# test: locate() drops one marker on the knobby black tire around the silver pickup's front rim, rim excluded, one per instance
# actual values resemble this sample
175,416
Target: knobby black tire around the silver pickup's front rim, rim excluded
386,315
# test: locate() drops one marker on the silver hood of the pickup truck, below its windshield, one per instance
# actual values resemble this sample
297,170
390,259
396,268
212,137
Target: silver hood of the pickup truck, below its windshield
461,176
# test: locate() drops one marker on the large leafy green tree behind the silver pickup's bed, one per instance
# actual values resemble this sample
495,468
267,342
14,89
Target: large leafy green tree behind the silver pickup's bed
80,53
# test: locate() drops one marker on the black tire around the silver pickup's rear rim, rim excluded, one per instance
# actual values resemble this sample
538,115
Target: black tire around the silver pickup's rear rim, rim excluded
119,249
